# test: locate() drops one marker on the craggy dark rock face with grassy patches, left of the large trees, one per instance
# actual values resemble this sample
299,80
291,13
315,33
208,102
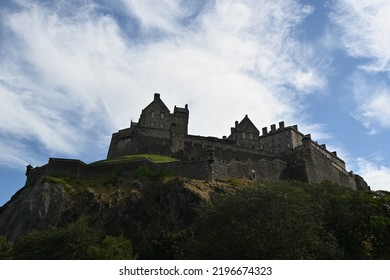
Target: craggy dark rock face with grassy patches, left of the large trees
142,208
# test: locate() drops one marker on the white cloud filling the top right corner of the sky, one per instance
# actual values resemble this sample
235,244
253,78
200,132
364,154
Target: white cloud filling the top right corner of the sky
365,28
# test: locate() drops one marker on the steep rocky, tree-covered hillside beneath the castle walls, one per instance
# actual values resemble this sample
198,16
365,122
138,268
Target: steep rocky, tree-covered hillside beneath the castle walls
168,217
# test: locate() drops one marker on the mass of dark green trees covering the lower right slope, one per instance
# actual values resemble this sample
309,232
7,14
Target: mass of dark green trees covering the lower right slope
294,220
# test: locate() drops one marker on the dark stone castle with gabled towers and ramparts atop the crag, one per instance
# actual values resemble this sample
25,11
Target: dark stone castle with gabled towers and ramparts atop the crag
279,153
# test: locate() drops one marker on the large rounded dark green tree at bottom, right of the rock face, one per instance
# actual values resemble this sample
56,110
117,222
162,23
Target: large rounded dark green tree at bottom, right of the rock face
267,221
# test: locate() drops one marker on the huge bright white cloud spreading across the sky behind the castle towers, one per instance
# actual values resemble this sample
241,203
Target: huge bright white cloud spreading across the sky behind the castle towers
69,79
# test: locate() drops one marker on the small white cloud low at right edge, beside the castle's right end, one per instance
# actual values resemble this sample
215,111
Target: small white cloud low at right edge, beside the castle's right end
376,174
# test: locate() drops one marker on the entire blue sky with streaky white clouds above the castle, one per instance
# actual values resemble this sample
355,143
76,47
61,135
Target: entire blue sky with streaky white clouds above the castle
72,72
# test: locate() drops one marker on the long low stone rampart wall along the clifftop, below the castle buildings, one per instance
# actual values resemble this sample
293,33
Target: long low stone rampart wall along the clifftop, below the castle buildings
306,164
